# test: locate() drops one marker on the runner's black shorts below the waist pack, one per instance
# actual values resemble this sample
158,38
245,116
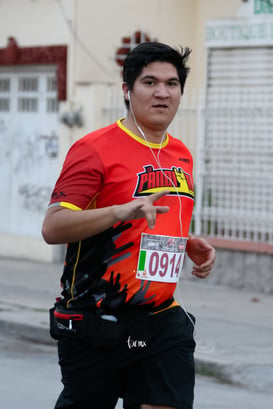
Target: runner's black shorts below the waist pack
153,365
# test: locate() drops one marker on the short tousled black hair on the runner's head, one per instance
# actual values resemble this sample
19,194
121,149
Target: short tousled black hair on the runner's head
148,52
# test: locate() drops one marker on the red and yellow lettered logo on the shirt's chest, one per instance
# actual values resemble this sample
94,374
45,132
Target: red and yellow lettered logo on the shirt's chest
153,180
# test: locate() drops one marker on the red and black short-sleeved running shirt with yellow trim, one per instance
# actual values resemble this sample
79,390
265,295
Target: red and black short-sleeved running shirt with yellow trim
113,166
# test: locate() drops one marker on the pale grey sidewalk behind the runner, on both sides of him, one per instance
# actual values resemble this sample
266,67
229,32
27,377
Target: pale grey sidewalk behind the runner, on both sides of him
234,329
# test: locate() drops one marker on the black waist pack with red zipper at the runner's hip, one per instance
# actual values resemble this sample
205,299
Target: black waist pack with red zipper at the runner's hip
97,329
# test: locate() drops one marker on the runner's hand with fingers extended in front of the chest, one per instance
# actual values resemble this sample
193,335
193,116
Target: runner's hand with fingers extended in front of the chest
142,207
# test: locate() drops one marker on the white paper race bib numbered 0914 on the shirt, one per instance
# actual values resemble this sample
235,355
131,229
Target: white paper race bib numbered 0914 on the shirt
160,258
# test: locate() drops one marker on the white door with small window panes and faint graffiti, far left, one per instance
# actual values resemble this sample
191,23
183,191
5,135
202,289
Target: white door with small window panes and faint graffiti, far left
28,146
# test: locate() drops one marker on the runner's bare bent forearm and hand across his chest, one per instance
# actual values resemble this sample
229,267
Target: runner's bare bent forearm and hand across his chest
63,225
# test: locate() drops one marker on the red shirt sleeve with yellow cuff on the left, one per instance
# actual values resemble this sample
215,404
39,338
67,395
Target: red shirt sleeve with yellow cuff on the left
81,177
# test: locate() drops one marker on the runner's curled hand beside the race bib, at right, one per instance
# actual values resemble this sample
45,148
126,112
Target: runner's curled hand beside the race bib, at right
202,254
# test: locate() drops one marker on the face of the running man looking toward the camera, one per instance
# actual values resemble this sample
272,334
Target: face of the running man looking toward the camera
155,96
